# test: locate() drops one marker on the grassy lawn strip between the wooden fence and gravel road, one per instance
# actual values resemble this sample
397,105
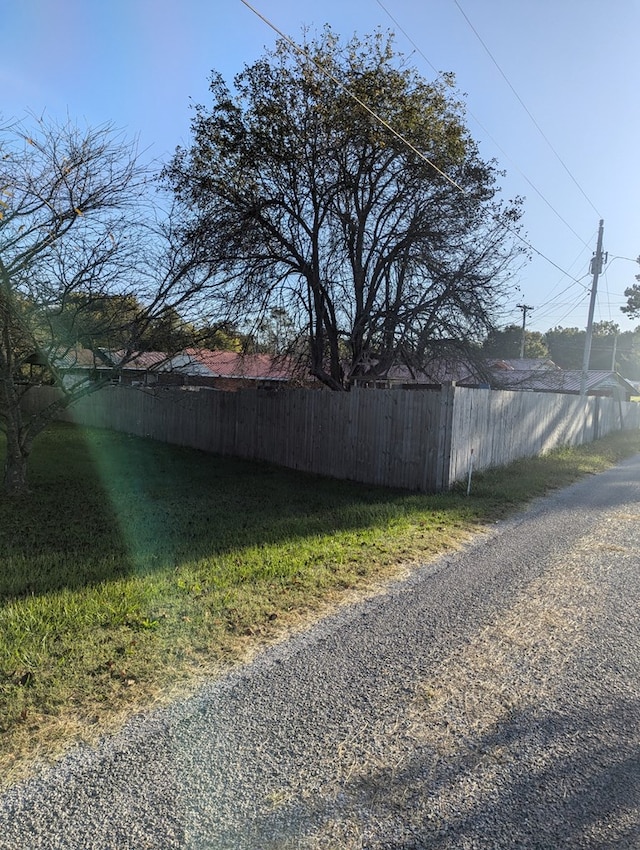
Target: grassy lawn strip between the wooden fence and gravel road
135,569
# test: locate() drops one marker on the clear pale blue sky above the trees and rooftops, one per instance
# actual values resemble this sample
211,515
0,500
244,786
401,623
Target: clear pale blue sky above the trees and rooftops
573,63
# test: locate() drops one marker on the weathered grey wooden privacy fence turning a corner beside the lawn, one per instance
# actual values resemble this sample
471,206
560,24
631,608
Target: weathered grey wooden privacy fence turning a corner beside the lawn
418,440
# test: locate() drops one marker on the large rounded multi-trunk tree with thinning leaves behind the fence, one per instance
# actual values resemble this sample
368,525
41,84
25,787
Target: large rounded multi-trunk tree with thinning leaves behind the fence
336,183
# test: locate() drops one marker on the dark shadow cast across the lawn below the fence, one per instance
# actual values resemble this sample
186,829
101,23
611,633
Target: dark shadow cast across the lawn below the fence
105,505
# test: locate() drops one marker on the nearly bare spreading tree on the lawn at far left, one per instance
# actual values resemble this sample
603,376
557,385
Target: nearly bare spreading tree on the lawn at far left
82,263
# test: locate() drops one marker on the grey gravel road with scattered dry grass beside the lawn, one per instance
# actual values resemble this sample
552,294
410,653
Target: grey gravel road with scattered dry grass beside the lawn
490,700
